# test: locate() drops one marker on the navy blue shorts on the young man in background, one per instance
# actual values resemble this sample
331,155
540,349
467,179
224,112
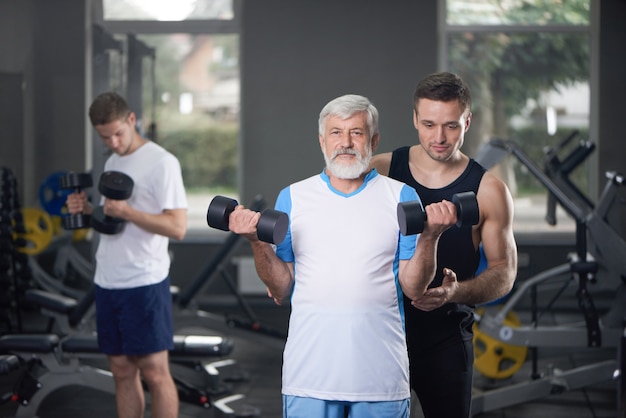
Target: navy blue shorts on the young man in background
135,321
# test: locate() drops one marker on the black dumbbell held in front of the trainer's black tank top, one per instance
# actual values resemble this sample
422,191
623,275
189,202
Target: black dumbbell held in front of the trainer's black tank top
411,216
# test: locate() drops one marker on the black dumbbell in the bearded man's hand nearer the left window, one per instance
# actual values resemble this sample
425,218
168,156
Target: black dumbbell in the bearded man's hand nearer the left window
272,226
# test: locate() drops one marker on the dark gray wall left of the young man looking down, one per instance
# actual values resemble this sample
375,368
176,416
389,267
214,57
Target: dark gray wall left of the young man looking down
45,42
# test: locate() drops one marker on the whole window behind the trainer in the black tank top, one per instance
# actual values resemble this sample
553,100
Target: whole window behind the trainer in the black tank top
527,63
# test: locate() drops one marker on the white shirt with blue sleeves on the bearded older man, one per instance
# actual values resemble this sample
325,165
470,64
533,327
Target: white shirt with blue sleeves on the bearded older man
346,331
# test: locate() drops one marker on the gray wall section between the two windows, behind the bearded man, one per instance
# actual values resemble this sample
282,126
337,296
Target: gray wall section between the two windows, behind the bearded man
298,55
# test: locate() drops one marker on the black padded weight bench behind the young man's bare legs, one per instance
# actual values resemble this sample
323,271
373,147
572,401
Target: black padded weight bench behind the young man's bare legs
49,362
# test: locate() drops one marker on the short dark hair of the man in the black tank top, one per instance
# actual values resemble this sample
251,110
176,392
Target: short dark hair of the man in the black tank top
443,87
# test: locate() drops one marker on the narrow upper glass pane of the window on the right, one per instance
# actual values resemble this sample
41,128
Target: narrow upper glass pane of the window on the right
518,12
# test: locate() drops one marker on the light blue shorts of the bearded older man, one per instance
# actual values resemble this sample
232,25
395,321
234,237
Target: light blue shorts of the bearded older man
297,407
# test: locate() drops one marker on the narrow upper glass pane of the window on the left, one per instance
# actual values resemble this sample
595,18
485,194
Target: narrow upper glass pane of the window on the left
167,10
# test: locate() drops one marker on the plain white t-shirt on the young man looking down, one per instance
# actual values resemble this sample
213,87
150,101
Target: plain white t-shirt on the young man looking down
136,257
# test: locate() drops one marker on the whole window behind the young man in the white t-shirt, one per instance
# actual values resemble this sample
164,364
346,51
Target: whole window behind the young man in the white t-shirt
188,87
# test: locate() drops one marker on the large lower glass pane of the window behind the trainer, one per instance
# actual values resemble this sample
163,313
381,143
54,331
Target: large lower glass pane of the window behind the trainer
532,88
